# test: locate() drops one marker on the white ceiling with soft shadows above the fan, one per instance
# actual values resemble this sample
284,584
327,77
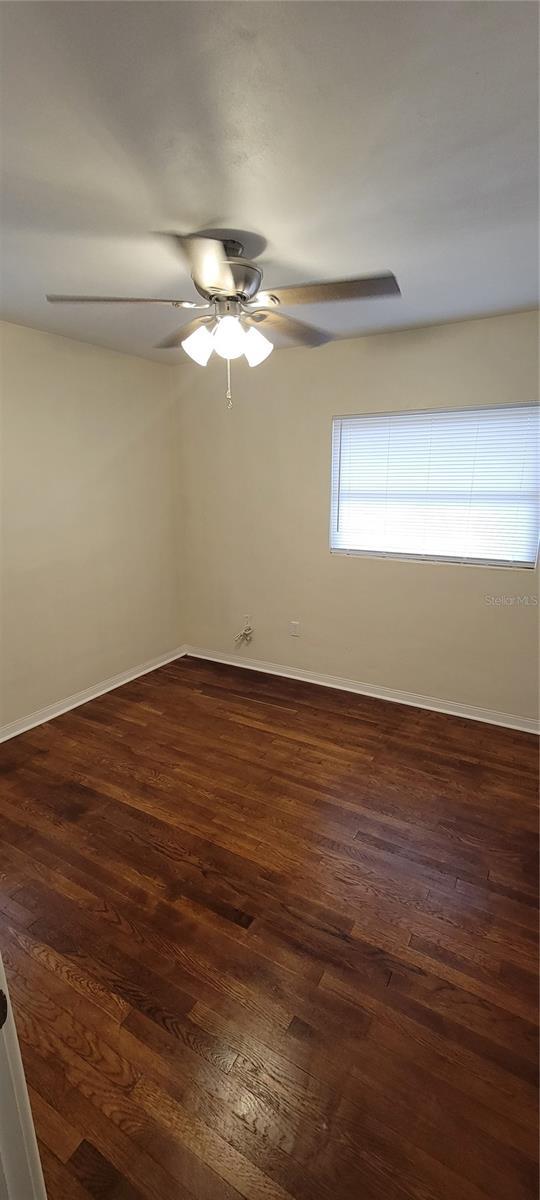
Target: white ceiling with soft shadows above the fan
353,137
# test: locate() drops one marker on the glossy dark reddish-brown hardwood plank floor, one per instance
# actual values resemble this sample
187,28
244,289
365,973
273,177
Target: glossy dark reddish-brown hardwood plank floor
267,941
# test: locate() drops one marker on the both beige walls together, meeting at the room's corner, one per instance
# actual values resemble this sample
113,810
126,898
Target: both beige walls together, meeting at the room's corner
139,514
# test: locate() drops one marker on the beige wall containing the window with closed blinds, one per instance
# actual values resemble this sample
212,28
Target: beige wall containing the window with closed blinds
255,489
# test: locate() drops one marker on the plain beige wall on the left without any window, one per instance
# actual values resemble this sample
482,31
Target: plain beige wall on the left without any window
89,568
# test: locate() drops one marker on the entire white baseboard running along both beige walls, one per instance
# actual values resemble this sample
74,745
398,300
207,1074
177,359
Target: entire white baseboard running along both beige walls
490,717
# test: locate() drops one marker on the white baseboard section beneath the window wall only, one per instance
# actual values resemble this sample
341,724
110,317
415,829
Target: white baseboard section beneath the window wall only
490,717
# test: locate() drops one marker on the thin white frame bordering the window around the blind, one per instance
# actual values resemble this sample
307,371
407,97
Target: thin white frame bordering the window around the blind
434,561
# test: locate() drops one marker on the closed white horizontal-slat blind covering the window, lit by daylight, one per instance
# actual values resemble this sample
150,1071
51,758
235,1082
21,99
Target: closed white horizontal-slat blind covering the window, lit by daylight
458,487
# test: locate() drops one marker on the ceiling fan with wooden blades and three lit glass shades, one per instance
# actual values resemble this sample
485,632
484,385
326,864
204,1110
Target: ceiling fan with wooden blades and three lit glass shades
236,307
